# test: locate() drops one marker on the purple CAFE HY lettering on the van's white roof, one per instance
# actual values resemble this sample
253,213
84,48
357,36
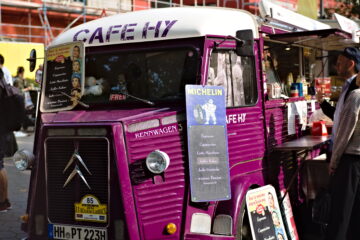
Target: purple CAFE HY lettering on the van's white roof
125,32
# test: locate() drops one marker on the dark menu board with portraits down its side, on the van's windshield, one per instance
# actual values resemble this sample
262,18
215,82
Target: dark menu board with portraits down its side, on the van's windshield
64,77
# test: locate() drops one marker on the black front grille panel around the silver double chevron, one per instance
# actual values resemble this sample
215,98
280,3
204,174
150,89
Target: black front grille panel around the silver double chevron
95,153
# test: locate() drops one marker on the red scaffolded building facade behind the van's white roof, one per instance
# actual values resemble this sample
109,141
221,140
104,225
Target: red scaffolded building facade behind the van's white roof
41,27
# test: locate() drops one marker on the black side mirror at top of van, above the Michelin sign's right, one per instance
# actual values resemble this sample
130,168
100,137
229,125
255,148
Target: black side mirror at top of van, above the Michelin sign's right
245,43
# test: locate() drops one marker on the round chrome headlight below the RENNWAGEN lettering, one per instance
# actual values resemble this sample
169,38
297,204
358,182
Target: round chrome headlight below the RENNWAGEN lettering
157,161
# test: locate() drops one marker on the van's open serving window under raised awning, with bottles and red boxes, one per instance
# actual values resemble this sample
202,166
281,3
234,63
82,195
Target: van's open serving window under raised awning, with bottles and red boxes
304,58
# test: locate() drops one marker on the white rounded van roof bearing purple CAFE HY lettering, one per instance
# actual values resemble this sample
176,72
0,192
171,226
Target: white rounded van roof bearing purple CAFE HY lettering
161,24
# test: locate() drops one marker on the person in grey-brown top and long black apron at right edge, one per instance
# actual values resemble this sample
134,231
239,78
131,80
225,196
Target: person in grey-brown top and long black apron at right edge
345,170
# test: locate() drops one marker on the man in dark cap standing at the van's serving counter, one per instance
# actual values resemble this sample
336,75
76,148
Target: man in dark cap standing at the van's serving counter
347,66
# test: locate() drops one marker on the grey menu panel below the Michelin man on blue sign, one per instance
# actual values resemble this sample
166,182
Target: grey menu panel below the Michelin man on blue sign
210,172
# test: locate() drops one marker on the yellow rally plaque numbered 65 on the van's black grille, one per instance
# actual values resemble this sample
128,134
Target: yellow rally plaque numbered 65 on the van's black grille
90,209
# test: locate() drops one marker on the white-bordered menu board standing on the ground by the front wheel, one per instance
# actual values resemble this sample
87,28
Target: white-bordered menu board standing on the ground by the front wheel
265,214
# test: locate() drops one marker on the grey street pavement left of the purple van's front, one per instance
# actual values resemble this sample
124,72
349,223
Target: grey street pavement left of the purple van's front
18,193
